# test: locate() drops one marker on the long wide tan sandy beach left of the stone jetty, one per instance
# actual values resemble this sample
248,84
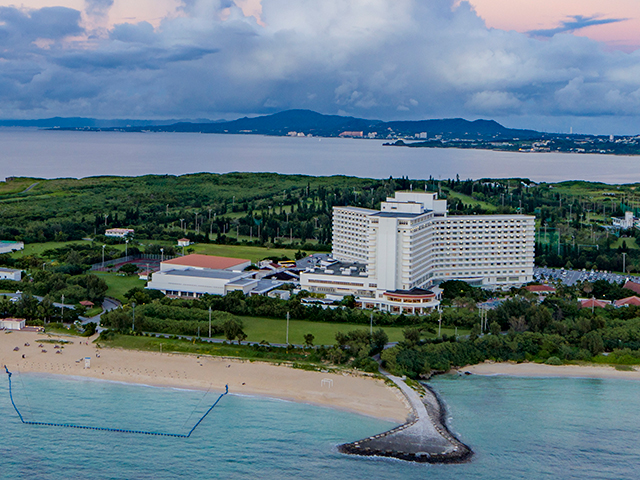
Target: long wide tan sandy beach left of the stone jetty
355,393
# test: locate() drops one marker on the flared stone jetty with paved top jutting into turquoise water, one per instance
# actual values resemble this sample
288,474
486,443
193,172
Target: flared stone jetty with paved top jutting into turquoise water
425,438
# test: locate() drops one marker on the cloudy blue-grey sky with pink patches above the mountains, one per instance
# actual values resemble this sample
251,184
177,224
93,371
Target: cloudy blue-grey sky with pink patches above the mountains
544,64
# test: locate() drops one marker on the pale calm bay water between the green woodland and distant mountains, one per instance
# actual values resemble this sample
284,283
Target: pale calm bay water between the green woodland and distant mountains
52,154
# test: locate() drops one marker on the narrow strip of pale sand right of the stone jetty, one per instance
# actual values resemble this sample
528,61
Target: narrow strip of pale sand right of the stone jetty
541,370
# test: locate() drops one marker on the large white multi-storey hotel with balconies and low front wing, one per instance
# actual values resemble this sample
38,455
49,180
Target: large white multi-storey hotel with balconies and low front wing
388,257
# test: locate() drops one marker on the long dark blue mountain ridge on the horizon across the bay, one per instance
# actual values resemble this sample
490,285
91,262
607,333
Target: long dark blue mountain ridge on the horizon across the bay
308,122
